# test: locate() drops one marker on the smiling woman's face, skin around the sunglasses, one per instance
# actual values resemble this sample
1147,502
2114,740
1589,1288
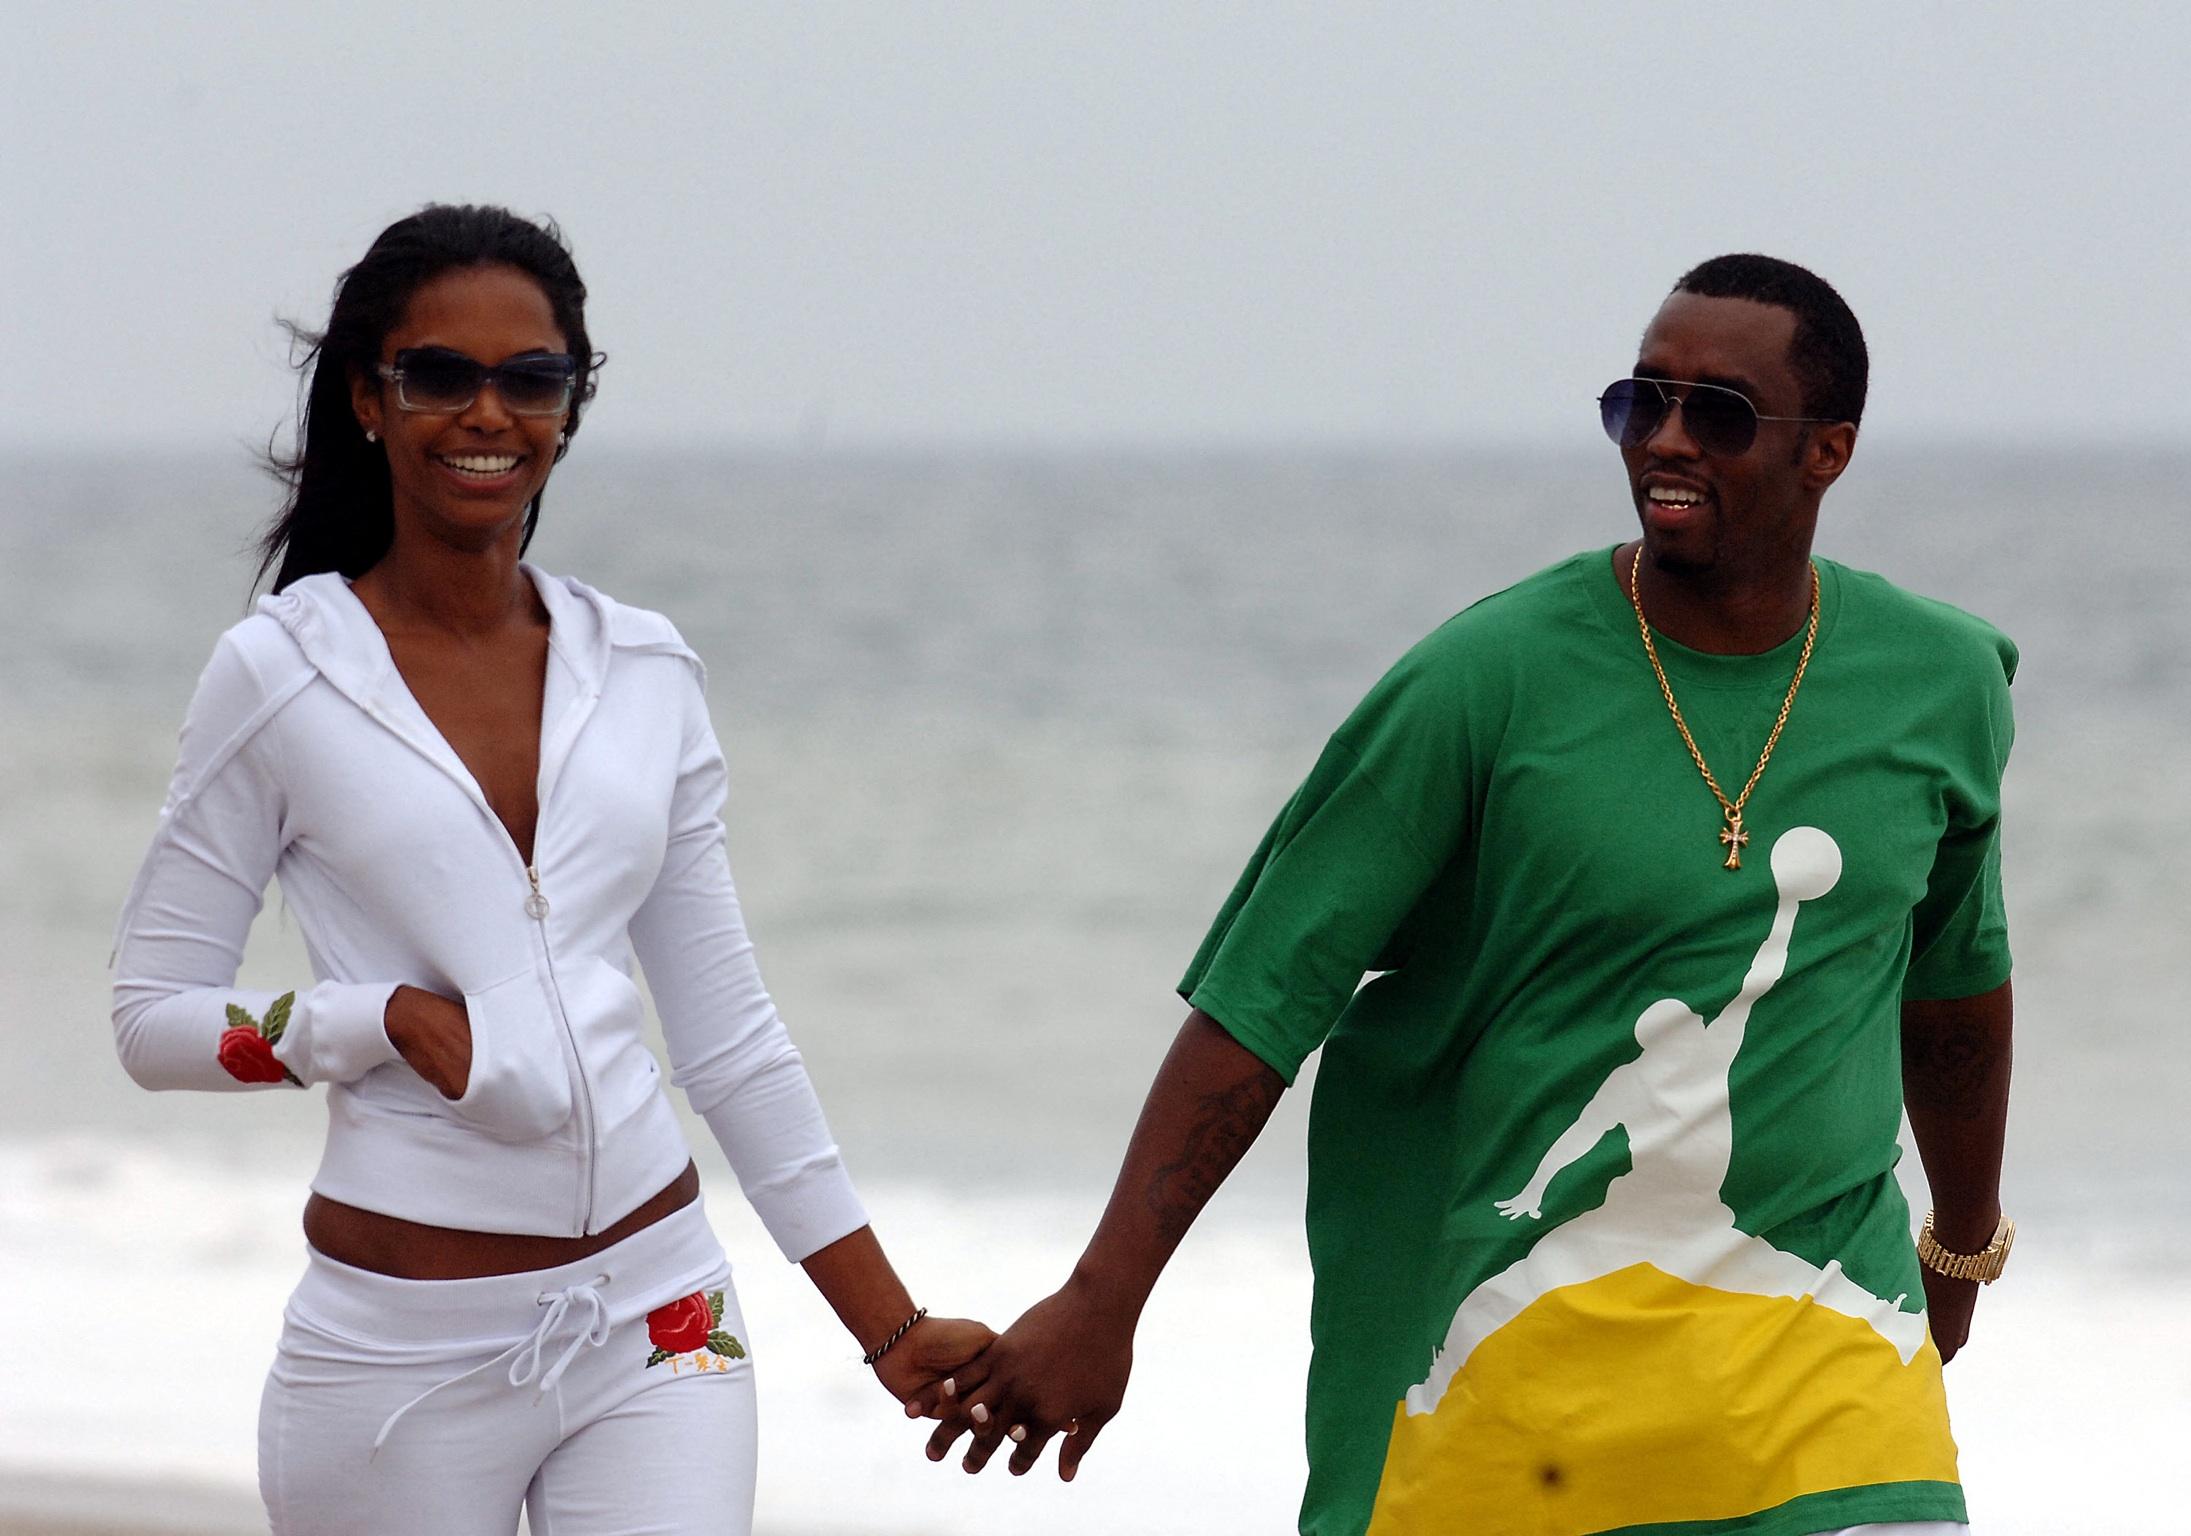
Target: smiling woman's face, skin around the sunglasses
466,477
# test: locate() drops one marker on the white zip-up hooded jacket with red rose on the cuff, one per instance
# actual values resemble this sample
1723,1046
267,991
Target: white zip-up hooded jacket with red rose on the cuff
306,757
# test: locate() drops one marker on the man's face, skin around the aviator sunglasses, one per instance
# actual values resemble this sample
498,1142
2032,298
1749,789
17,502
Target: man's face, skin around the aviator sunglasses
1725,514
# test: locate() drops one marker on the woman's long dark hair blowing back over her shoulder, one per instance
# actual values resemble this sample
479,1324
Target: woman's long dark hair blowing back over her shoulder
339,512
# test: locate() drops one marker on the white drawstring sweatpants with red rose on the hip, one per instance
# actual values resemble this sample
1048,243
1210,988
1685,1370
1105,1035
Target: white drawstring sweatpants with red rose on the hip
444,1406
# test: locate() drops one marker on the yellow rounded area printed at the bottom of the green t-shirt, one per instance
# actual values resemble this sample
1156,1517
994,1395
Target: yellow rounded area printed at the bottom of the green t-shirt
1640,1397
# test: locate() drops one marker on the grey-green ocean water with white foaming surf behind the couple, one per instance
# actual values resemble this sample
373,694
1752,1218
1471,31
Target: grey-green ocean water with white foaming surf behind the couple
1002,731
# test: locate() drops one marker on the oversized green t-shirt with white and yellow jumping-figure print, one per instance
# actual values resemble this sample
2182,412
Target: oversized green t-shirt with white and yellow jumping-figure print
1601,1187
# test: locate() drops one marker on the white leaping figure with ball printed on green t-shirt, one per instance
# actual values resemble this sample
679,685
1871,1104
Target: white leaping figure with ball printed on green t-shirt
1666,1211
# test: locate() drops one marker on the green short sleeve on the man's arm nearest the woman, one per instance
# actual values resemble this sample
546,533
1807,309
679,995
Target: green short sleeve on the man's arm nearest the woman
1379,816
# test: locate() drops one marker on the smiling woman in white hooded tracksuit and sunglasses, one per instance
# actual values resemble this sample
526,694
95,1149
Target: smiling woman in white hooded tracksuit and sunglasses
485,790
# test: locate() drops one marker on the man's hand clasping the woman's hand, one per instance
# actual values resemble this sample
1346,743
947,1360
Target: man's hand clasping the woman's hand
1062,1368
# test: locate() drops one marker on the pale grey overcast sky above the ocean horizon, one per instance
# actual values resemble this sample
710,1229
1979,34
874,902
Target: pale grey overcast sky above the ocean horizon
1094,225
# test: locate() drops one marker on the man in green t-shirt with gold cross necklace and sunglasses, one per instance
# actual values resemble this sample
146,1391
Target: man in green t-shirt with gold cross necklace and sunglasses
1677,875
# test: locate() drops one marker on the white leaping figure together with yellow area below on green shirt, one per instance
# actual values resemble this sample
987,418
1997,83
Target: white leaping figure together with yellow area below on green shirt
1649,1360
